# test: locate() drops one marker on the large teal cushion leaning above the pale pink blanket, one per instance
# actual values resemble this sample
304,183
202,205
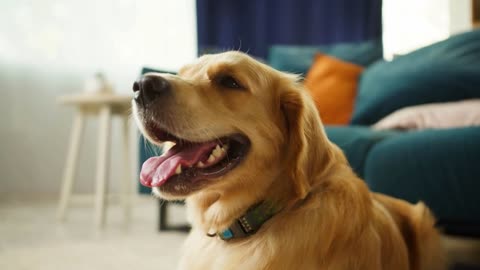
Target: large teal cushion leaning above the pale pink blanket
445,71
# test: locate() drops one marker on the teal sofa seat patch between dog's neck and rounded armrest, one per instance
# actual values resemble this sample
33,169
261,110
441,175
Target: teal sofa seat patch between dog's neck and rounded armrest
356,142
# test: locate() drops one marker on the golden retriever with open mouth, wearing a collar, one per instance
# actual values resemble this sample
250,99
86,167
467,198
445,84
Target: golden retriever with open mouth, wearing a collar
264,187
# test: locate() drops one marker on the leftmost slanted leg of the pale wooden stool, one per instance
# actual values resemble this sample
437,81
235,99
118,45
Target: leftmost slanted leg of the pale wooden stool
70,166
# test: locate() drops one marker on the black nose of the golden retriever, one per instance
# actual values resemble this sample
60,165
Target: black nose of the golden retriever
149,87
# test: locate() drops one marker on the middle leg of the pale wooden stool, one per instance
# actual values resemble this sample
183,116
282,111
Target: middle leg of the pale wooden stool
102,165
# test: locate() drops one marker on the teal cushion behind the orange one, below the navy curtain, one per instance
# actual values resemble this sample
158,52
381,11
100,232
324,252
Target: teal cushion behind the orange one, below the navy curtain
298,59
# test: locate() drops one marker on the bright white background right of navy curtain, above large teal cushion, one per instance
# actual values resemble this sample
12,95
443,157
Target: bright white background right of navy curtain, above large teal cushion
411,24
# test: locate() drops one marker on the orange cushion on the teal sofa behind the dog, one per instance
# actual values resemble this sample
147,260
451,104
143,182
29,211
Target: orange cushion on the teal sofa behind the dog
333,85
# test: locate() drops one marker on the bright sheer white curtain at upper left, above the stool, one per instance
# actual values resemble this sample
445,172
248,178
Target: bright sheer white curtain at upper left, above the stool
110,34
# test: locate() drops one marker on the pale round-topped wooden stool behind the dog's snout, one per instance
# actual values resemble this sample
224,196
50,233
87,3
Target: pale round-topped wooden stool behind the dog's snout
104,106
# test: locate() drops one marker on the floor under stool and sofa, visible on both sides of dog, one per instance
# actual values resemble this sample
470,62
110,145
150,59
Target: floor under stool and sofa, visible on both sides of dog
31,238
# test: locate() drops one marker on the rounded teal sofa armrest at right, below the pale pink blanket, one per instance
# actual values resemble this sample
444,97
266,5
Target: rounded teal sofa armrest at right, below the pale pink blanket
439,167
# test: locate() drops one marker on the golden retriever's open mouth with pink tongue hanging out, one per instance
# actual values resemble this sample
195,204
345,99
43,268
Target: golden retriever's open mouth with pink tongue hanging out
188,162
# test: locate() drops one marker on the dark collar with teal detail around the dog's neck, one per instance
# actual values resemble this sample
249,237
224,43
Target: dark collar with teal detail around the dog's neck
249,223
